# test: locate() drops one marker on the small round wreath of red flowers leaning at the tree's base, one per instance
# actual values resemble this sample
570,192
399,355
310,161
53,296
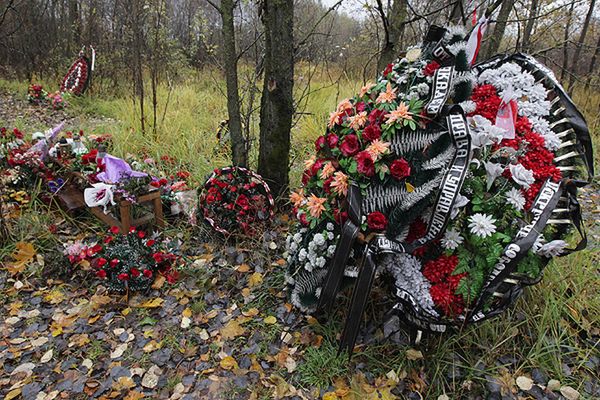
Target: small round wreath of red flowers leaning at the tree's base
235,199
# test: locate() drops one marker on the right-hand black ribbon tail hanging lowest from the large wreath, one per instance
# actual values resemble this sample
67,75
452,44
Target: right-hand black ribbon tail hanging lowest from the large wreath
359,301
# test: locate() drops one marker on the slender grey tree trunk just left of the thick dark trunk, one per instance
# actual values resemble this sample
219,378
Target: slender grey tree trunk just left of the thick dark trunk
230,61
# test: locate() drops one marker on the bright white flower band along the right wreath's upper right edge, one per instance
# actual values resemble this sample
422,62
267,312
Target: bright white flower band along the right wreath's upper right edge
531,97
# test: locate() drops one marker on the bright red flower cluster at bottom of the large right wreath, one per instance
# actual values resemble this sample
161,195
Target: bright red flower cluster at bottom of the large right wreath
444,284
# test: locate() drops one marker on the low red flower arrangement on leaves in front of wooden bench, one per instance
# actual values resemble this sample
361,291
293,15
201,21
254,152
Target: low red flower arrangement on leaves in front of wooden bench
127,262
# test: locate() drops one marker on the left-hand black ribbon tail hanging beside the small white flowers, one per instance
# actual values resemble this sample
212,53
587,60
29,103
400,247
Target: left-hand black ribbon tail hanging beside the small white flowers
350,230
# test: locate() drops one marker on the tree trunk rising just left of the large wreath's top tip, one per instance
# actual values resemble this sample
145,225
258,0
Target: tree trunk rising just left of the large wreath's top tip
393,25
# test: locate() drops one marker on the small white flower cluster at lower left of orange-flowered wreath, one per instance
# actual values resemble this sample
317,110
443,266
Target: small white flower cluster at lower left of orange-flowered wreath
316,252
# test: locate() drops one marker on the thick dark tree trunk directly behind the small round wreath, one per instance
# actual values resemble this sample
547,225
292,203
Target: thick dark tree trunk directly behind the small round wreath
277,105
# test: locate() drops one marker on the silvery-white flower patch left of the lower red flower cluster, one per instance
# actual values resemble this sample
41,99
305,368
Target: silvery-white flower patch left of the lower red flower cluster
406,271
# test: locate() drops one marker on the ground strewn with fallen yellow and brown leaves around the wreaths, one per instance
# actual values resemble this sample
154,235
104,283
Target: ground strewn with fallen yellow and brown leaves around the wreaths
227,331
